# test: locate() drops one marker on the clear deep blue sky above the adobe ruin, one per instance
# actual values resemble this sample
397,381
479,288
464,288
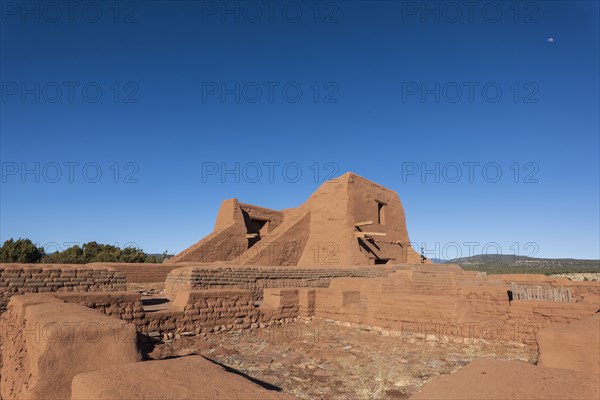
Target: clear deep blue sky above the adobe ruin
167,93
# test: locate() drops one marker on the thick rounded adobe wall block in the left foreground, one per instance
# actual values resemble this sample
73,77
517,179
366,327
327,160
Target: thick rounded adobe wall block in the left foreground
46,342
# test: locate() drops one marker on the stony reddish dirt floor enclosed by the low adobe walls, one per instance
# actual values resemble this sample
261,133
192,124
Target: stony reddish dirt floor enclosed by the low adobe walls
315,358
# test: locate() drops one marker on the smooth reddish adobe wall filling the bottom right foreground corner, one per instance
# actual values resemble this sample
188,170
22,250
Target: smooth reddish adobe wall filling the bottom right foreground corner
568,367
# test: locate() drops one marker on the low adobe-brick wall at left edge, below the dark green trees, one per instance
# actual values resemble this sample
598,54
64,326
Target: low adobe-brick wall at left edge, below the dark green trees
46,278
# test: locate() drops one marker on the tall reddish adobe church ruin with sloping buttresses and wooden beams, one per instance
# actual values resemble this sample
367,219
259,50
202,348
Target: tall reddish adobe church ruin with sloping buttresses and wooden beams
349,221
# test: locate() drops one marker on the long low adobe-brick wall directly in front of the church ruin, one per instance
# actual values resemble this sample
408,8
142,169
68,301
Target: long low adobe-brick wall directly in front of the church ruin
256,279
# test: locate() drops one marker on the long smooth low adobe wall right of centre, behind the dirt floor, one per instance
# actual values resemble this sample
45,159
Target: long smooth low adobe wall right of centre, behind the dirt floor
451,304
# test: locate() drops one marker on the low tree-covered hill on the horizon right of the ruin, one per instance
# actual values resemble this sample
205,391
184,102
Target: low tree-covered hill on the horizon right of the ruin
505,264
